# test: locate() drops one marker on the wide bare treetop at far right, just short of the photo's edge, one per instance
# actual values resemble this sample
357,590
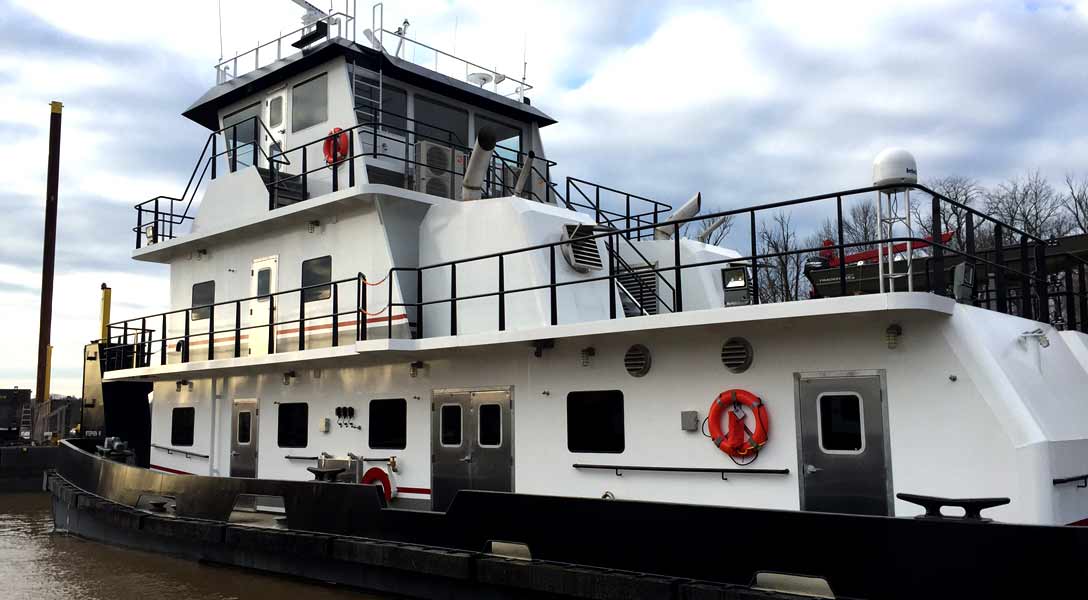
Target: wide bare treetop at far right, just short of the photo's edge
1032,204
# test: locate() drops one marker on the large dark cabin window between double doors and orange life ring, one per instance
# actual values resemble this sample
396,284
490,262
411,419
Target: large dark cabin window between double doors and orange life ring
596,422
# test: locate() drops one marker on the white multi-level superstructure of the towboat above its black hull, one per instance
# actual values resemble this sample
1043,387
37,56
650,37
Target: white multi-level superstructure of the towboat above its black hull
377,278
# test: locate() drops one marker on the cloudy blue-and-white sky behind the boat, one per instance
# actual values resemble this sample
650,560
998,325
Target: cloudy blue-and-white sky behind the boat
746,102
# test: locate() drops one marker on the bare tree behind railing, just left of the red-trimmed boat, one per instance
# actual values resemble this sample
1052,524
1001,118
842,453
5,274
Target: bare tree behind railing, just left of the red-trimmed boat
781,276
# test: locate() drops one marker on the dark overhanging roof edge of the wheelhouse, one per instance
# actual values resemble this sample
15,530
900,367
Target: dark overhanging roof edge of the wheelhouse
205,112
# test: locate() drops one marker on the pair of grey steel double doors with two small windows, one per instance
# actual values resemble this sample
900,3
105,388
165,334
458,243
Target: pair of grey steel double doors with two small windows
473,444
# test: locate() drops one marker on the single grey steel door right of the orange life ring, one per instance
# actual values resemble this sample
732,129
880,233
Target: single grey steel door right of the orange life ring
844,444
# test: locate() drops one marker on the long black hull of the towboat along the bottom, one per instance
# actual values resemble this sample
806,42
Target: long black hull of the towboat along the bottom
582,548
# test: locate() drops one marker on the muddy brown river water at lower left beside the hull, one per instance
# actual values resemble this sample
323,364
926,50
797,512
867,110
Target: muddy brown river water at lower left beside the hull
38,564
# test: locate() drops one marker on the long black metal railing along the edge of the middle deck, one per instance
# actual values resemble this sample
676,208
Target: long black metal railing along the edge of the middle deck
1043,291
